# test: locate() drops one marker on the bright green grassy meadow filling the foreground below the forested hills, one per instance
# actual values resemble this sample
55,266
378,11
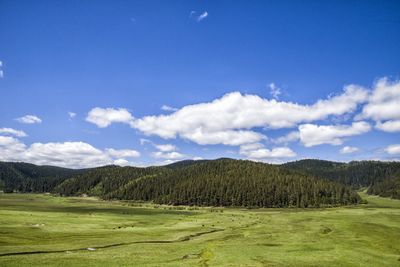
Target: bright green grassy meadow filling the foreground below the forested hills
42,230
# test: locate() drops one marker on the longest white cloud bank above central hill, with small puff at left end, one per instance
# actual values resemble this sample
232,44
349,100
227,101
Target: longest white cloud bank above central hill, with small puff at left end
229,120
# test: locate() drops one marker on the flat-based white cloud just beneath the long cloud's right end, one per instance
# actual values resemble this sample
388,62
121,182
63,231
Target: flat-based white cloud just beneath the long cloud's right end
312,135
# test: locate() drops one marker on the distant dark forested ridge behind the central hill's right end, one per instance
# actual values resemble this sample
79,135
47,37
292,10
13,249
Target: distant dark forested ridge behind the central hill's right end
356,174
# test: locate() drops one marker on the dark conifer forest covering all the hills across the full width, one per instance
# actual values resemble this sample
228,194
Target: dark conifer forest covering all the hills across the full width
220,182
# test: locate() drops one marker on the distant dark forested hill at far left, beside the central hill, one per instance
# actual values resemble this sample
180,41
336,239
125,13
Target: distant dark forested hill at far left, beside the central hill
25,177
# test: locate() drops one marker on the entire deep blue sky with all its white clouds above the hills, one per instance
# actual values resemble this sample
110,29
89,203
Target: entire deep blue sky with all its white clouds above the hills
90,83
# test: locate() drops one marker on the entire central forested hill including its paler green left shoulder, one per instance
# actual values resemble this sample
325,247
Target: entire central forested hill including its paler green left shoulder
223,182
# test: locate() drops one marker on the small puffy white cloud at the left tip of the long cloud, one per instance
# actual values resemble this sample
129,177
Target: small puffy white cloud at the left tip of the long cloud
103,117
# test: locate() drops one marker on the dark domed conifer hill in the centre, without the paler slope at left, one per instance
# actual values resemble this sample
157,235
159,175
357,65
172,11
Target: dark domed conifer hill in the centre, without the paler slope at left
228,182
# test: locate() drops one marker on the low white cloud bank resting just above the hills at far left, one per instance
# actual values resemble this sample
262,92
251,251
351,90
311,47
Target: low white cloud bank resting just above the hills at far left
66,154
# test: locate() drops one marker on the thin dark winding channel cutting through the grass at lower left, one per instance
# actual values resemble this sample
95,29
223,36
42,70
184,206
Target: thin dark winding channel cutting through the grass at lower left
181,239
